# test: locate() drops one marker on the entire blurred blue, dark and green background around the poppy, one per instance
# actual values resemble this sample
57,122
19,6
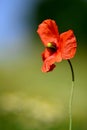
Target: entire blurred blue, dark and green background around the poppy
30,99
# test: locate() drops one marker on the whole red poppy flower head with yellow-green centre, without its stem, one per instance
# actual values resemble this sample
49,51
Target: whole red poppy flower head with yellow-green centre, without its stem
58,46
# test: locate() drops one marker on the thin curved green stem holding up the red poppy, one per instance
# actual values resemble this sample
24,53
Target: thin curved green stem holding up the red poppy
71,96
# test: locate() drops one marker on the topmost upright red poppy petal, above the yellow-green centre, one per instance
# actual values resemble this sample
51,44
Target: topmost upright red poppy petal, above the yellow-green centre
48,32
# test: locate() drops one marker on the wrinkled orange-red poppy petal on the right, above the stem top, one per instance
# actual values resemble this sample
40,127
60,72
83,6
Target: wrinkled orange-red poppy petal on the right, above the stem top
68,44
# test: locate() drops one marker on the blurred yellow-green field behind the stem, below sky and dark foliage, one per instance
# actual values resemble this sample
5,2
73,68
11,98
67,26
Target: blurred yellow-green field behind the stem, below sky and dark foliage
32,100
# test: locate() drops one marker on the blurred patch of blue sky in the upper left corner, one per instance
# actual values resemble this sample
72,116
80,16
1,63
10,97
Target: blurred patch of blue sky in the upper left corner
13,27
